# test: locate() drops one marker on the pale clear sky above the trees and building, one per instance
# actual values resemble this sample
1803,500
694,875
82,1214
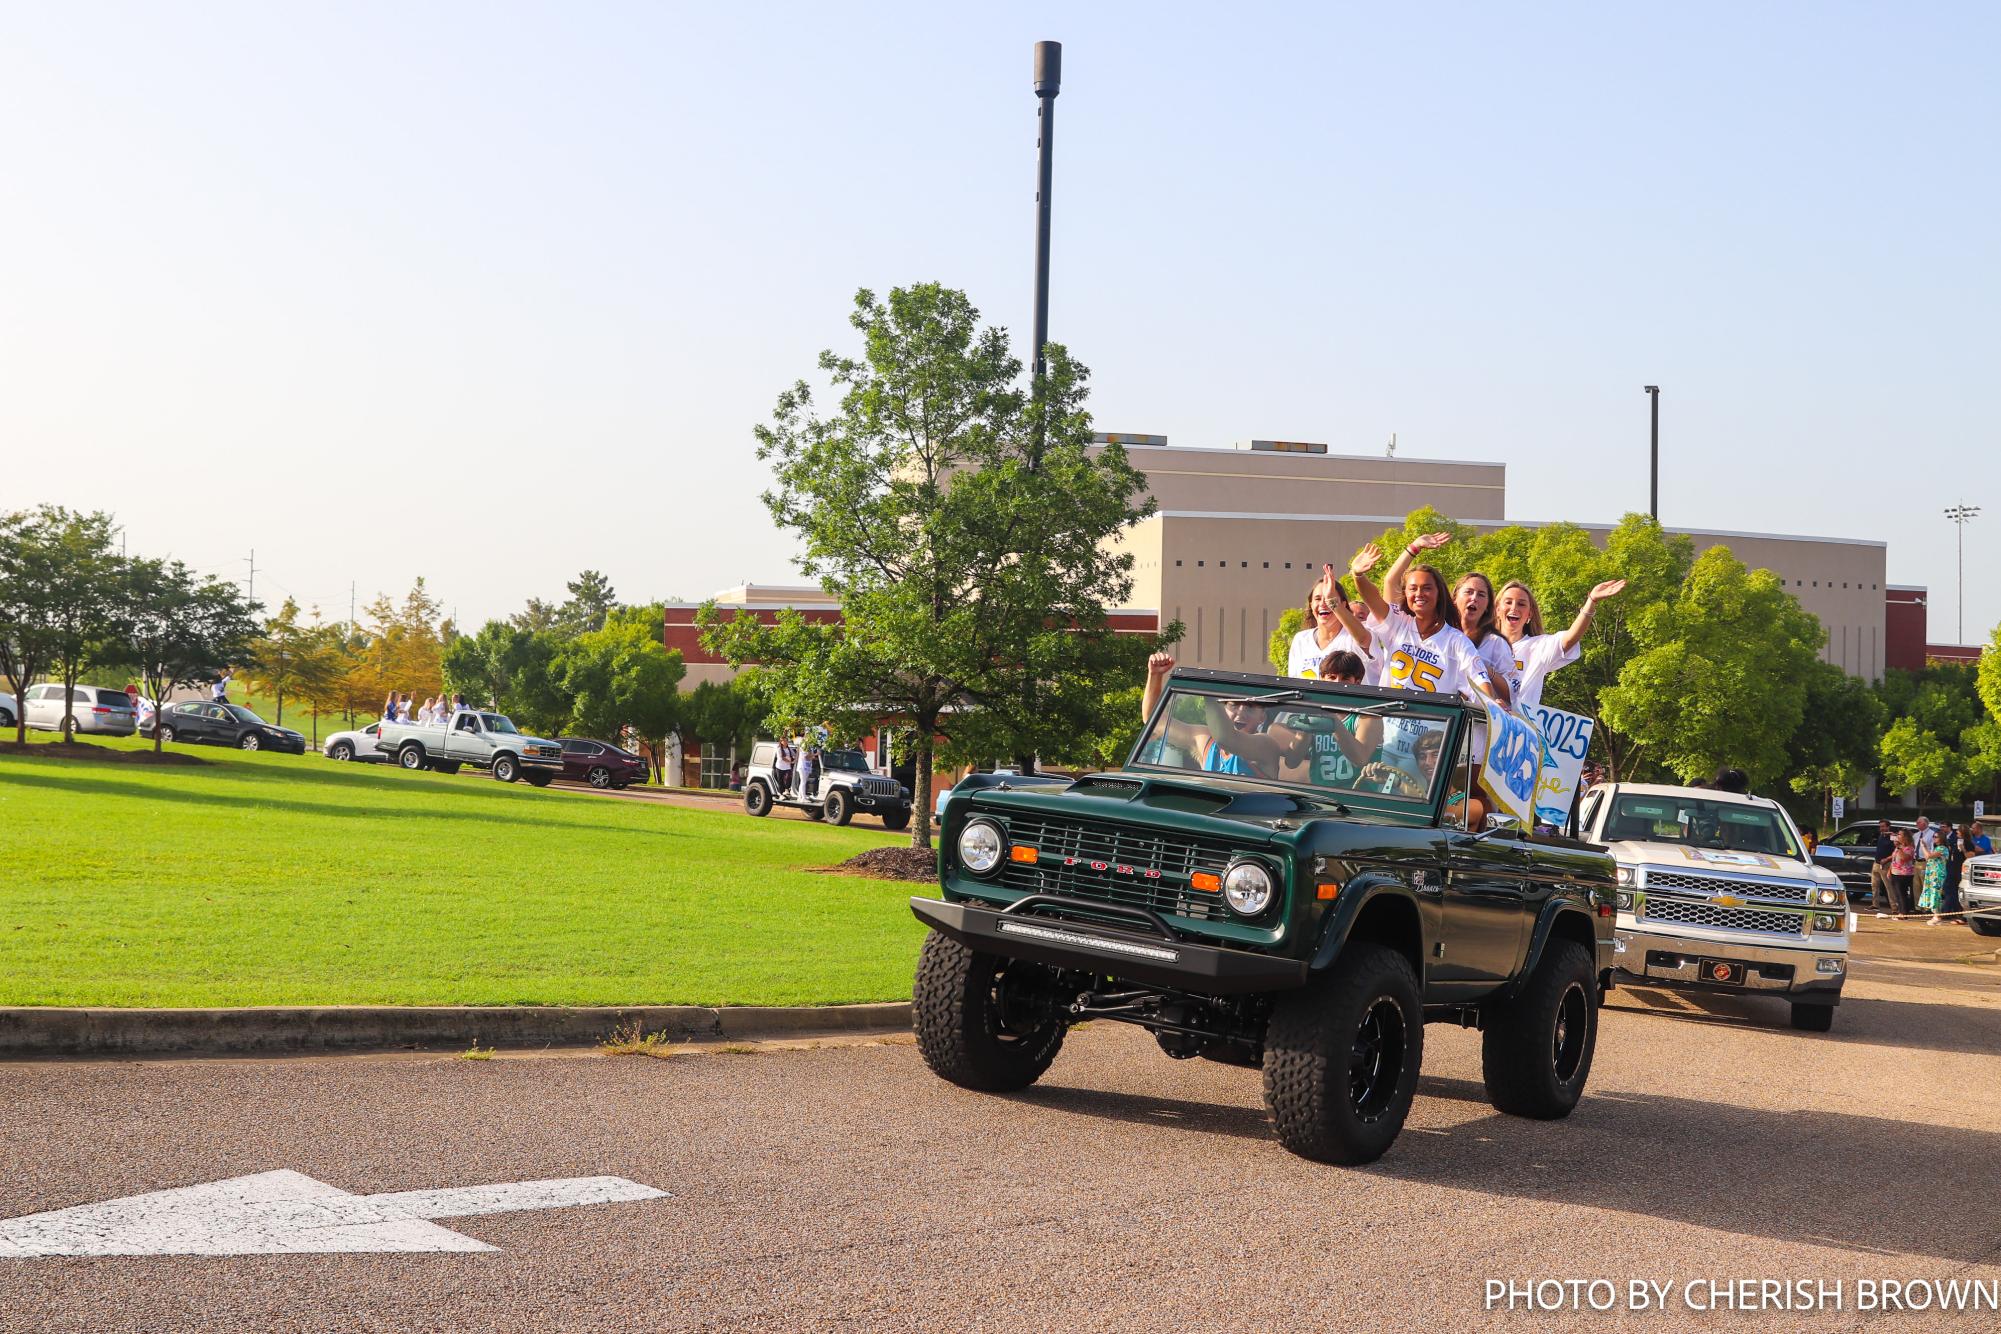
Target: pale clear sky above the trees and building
493,293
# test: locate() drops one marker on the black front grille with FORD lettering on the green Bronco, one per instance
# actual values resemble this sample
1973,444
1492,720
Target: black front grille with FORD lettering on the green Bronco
1142,869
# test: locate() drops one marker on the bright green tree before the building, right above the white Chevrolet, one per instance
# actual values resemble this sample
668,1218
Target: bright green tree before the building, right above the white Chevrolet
1720,675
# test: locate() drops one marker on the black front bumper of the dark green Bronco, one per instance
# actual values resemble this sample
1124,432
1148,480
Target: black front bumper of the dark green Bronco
1090,947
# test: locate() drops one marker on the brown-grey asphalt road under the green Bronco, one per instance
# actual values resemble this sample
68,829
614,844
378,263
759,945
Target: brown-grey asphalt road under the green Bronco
843,1187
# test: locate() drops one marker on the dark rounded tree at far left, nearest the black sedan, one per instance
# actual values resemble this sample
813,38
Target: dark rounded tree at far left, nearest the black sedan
183,631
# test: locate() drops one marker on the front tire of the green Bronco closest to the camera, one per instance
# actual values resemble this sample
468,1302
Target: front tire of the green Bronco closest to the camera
1342,1057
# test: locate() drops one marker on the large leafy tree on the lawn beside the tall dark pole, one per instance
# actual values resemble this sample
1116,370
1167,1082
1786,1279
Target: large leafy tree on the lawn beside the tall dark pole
963,529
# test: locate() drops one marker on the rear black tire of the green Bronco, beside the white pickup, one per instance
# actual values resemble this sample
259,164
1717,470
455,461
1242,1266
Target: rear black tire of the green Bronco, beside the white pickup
1536,1049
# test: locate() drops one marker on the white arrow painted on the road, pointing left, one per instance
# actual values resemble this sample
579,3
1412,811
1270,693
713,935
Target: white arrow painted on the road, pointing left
289,1213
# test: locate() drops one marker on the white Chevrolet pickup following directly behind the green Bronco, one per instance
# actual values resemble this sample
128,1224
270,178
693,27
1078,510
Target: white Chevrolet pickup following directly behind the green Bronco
1716,893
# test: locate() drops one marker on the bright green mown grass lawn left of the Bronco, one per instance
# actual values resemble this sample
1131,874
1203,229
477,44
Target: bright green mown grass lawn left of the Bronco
263,879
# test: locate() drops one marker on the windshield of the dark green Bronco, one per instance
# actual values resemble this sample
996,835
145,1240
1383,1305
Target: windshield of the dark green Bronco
1300,741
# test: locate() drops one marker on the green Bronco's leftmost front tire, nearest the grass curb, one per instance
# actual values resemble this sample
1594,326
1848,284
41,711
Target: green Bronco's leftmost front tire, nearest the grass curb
959,1027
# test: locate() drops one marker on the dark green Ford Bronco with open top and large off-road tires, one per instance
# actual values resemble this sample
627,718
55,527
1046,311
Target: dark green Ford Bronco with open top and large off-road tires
1282,877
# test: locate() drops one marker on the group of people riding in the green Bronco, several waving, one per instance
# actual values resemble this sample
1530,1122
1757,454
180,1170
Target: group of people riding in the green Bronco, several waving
1412,633
